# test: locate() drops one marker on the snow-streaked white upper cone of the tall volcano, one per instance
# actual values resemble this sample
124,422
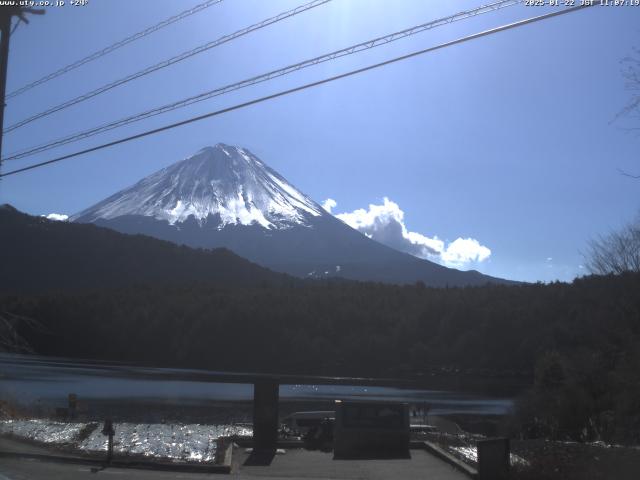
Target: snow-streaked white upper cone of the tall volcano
225,181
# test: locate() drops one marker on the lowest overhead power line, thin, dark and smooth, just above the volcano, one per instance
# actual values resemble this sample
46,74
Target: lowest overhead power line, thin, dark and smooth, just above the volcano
300,88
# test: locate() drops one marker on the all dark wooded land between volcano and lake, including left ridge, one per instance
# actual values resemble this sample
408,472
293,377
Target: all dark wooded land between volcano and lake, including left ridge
136,299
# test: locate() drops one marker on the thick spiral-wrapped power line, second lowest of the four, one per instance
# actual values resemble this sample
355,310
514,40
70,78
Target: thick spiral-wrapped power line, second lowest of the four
262,78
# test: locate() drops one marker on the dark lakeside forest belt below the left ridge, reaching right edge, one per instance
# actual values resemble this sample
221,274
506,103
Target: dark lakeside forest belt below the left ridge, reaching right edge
579,343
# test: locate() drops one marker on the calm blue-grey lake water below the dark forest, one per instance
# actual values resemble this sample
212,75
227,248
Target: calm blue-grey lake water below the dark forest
27,380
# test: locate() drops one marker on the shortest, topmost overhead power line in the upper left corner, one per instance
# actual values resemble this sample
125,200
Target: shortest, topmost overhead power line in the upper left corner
114,46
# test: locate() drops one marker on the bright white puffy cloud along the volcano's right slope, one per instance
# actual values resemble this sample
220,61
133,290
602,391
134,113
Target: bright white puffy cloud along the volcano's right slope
385,224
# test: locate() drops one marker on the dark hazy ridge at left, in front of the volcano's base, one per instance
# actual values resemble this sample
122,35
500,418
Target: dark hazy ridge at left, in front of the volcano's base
39,254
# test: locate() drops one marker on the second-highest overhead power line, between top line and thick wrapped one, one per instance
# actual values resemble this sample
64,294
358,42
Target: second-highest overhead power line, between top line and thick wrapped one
167,63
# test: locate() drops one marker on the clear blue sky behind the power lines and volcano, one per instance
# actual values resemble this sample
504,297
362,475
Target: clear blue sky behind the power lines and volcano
507,140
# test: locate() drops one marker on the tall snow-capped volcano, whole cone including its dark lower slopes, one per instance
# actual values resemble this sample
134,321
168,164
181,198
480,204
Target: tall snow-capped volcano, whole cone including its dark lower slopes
224,196
